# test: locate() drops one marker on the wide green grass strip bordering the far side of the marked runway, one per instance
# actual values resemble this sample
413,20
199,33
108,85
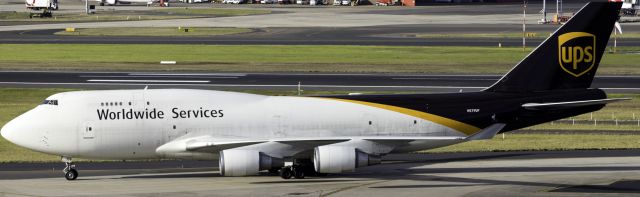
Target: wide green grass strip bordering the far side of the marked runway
279,58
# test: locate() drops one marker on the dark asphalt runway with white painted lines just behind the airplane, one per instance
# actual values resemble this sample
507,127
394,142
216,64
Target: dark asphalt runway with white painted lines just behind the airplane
278,81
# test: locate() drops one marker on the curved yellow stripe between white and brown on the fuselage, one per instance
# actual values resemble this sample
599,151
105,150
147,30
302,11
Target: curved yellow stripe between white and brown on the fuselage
454,124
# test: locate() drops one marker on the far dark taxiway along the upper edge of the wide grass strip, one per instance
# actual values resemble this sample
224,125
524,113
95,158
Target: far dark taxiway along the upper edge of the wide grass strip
389,35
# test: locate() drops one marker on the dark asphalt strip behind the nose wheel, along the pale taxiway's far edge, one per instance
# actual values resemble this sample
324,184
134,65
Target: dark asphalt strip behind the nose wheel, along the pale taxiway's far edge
13,171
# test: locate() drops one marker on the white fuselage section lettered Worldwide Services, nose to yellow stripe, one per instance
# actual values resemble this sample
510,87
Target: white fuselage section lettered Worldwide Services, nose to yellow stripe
132,124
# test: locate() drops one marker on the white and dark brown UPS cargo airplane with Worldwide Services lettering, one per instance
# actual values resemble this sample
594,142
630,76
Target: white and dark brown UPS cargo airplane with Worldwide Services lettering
298,135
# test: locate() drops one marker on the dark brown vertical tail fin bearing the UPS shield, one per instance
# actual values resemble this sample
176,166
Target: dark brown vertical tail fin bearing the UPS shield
569,58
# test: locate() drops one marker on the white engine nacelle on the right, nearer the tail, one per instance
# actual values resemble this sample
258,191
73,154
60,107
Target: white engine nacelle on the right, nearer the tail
338,159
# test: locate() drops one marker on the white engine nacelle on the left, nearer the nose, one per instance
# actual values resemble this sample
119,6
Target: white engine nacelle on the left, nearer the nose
246,162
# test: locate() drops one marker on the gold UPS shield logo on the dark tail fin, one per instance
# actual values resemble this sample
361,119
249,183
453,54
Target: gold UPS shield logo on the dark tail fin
576,52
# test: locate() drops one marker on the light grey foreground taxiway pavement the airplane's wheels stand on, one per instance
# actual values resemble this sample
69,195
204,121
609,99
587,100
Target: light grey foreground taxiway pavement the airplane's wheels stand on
546,173
